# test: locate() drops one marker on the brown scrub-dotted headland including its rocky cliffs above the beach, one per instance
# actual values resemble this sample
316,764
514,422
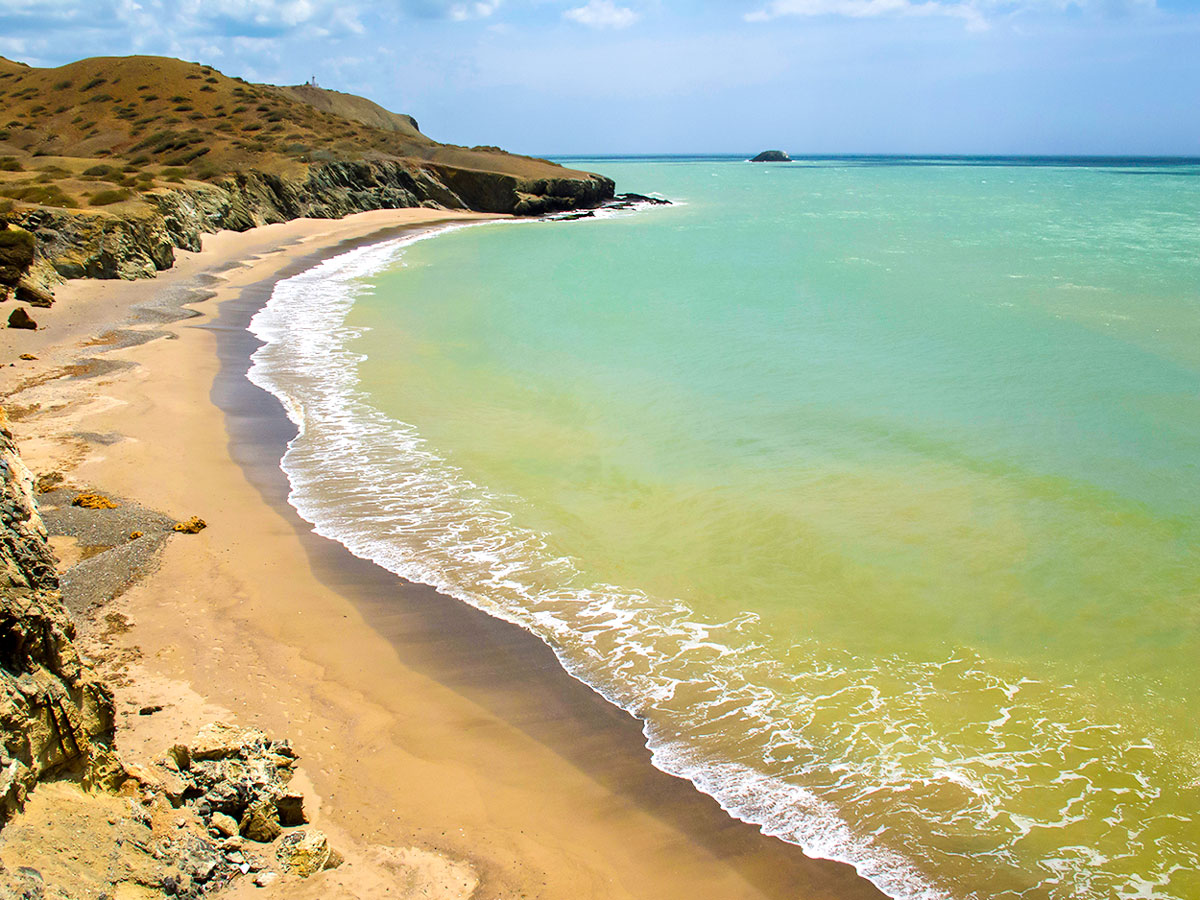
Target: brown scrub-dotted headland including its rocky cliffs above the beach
161,151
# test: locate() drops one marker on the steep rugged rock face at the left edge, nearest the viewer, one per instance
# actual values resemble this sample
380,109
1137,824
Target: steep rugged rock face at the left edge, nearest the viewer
56,716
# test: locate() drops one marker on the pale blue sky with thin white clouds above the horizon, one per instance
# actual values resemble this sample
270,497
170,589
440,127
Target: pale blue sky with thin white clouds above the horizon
609,77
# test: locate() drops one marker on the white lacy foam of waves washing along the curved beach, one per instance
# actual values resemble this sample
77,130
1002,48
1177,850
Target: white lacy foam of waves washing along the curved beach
685,677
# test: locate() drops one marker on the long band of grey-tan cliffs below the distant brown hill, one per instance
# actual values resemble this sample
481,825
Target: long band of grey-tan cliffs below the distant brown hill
99,245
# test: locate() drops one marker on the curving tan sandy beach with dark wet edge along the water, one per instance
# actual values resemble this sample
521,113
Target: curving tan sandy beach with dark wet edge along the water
502,758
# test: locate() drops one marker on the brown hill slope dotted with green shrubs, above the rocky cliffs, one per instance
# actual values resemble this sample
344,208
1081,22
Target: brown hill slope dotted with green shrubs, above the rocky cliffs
103,133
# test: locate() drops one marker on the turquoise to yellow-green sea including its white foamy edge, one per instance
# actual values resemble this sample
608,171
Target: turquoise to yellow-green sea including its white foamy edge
872,487
